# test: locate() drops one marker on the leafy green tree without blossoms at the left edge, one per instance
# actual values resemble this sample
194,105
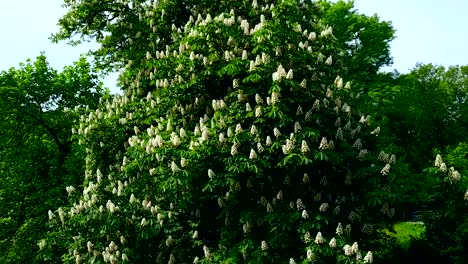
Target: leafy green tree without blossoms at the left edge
38,159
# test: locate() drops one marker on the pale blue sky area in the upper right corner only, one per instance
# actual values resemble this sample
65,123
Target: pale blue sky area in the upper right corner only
427,31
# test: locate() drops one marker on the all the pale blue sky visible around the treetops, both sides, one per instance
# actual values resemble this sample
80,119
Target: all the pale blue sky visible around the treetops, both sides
428,31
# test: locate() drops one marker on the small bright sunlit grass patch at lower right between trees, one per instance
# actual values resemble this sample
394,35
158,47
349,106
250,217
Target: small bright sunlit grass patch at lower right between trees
406,231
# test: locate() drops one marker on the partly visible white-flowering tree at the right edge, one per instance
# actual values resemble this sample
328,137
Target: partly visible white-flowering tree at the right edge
447,220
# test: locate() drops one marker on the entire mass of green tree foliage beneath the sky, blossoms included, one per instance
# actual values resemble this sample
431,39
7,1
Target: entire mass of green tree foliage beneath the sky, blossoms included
248,132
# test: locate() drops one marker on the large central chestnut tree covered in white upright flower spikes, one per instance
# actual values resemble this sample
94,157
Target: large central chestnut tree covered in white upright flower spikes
236,140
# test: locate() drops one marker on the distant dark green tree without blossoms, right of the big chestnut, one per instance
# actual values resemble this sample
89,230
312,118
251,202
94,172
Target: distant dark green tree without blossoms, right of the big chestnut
402,104
